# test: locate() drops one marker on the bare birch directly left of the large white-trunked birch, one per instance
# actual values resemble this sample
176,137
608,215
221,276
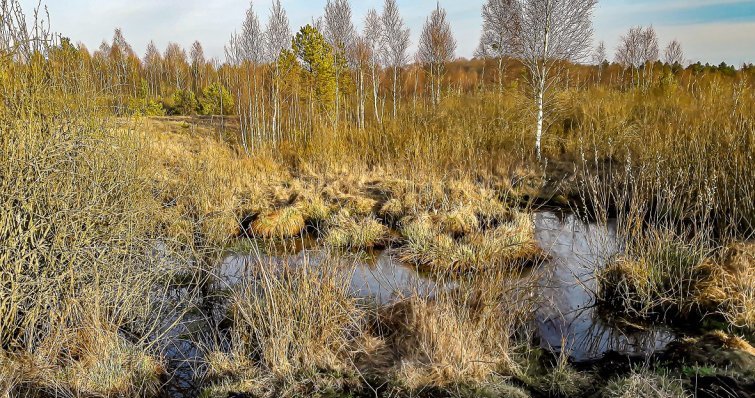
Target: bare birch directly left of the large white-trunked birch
501,23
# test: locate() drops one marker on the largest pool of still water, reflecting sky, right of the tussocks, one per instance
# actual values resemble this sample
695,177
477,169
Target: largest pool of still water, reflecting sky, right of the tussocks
569,317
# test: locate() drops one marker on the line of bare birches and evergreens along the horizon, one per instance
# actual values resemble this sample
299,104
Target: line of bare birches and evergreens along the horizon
284,85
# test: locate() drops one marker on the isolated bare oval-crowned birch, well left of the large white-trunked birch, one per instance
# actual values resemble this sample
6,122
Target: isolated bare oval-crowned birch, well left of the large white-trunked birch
437,47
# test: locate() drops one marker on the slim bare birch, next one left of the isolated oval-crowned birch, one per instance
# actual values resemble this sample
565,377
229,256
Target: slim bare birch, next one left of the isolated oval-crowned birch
395,44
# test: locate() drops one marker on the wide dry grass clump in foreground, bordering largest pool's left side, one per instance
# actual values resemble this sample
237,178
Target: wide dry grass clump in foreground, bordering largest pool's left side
461,337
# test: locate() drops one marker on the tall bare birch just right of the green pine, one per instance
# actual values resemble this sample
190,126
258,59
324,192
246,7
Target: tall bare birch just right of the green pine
340,34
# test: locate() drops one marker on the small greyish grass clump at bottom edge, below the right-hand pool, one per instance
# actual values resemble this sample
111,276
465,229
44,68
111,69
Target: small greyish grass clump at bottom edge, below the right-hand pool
643,383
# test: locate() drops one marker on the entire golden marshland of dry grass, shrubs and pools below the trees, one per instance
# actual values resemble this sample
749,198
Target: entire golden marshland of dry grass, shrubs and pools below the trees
426,254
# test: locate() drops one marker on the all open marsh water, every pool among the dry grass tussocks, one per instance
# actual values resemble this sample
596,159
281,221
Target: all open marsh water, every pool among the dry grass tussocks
566,321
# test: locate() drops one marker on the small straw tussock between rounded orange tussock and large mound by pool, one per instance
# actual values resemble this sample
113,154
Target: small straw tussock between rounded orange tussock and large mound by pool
348,232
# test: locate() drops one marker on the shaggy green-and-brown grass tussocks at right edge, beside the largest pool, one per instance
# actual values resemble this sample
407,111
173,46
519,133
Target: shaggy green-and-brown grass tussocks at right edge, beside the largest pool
677,278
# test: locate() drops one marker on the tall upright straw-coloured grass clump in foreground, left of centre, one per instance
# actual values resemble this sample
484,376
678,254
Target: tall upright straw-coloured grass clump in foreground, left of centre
294,326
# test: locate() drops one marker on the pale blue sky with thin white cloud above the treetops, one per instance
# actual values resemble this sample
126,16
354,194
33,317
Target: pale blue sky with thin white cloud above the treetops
709,30
